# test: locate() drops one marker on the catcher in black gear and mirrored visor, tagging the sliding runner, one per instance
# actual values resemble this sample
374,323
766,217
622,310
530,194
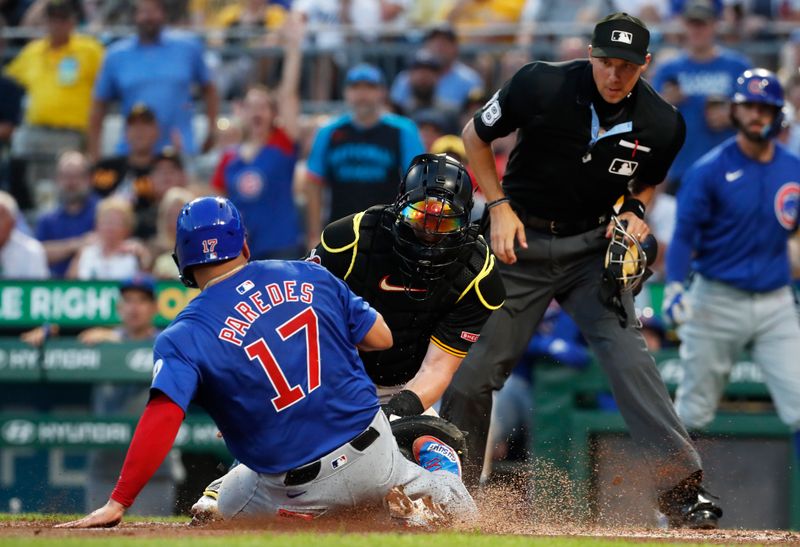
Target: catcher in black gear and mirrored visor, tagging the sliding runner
425,268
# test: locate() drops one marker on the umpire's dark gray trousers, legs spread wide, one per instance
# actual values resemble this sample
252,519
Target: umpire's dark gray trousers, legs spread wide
570,270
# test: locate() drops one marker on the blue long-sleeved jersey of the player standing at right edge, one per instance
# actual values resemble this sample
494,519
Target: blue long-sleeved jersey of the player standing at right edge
737,214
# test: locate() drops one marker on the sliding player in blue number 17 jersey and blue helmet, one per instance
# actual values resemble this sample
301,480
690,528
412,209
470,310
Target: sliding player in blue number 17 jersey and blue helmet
268,349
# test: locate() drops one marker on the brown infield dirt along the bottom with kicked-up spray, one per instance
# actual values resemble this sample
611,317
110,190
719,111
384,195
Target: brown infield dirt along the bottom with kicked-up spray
506,510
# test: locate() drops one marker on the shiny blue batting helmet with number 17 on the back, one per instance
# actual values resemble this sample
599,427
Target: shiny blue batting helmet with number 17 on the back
209,230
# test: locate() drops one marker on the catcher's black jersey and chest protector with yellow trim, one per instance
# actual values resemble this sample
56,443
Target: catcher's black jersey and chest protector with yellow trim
449,312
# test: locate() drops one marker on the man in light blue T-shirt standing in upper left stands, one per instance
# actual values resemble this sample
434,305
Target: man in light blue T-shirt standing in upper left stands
157,67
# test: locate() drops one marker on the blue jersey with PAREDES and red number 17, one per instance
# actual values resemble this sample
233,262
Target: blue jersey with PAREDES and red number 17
270,354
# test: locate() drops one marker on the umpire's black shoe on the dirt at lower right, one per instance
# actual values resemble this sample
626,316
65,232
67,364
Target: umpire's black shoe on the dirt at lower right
689,505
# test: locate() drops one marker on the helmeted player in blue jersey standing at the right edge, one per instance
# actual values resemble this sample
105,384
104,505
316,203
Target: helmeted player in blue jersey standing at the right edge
737,209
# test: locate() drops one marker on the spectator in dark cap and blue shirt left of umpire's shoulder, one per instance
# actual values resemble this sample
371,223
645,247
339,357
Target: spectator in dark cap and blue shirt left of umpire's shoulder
456,79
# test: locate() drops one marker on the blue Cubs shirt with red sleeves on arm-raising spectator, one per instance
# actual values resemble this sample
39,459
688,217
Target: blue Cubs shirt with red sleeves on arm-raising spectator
261,188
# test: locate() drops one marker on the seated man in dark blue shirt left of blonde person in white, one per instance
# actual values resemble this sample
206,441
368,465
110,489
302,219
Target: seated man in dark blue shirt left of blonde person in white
70,226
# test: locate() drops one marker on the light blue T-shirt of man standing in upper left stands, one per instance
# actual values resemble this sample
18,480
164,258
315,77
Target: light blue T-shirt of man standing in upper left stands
160,75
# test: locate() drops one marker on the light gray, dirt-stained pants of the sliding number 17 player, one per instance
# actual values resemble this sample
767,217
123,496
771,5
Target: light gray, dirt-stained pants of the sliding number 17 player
355,479
